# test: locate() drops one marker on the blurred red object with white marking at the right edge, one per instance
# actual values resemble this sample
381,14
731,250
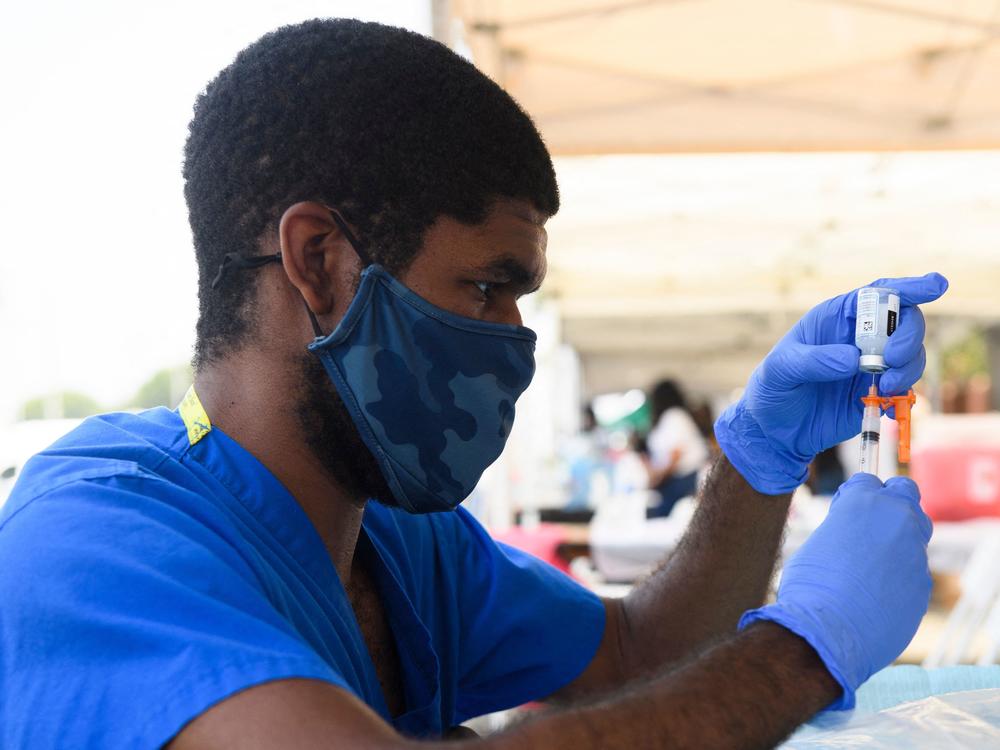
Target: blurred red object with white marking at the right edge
958,483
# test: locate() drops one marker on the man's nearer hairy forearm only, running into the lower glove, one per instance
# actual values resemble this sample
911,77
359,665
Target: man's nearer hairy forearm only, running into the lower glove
749,692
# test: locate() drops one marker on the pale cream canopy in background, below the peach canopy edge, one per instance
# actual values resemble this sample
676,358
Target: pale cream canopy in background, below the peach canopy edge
695,265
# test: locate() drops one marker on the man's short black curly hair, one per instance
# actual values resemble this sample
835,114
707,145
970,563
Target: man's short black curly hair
392,128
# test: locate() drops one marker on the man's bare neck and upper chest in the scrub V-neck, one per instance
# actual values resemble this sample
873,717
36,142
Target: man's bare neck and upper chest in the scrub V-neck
253,402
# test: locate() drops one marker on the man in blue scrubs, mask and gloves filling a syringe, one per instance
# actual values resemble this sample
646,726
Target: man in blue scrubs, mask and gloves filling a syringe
283,561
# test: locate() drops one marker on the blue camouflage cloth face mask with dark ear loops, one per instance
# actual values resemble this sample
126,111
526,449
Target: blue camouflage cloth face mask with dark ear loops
431,393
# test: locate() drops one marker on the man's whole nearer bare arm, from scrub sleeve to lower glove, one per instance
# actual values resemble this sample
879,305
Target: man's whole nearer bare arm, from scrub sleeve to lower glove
748,692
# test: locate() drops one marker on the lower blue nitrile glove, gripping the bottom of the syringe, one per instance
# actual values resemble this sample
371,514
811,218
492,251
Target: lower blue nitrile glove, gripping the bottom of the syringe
857,589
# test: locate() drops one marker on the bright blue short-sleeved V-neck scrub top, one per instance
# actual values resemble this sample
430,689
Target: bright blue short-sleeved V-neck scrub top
149,569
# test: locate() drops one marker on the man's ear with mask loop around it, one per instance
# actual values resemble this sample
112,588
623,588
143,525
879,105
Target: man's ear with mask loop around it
315,253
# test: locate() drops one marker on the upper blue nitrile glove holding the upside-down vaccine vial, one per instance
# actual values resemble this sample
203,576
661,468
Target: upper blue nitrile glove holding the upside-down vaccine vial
805,396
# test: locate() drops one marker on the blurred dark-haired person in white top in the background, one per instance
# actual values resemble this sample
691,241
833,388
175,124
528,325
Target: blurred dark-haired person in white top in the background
675,448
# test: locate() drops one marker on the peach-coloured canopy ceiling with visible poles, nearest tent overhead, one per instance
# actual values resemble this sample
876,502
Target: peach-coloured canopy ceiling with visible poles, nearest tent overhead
606,76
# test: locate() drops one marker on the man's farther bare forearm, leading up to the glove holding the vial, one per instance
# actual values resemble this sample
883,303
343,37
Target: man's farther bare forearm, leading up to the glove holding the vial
720,569
